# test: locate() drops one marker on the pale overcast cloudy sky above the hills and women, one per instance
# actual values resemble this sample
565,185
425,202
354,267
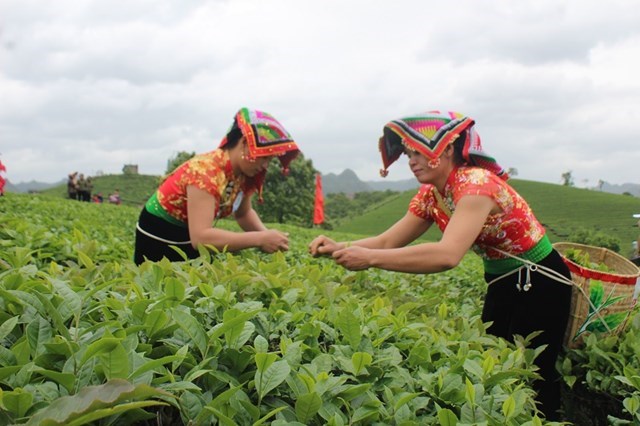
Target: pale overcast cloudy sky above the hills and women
91,85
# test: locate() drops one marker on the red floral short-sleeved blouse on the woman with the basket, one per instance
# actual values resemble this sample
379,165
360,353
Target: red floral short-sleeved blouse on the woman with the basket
514,230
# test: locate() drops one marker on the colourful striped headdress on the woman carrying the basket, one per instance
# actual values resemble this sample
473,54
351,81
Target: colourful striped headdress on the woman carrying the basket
429,134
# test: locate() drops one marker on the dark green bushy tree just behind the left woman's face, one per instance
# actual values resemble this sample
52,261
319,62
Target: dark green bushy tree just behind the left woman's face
288,199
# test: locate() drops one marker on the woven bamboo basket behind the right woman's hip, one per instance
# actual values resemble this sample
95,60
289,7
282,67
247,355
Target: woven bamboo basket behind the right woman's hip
619,281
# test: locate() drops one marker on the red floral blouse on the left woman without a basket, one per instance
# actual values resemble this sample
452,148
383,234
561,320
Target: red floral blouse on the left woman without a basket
210,172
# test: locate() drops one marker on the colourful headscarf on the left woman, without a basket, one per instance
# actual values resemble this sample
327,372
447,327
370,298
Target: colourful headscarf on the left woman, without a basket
265,137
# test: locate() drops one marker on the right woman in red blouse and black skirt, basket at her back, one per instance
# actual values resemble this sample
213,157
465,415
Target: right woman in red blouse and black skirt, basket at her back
464,192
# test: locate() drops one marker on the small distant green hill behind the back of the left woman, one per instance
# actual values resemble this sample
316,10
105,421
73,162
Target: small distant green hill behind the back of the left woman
134,189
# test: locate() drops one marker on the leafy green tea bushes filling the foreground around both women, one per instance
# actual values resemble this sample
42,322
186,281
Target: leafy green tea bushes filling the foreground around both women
87,337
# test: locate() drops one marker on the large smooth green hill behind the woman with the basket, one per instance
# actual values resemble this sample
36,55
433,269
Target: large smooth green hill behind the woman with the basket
562,210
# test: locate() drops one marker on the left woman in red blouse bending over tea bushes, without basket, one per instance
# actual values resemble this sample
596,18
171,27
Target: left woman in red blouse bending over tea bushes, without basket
185,208
